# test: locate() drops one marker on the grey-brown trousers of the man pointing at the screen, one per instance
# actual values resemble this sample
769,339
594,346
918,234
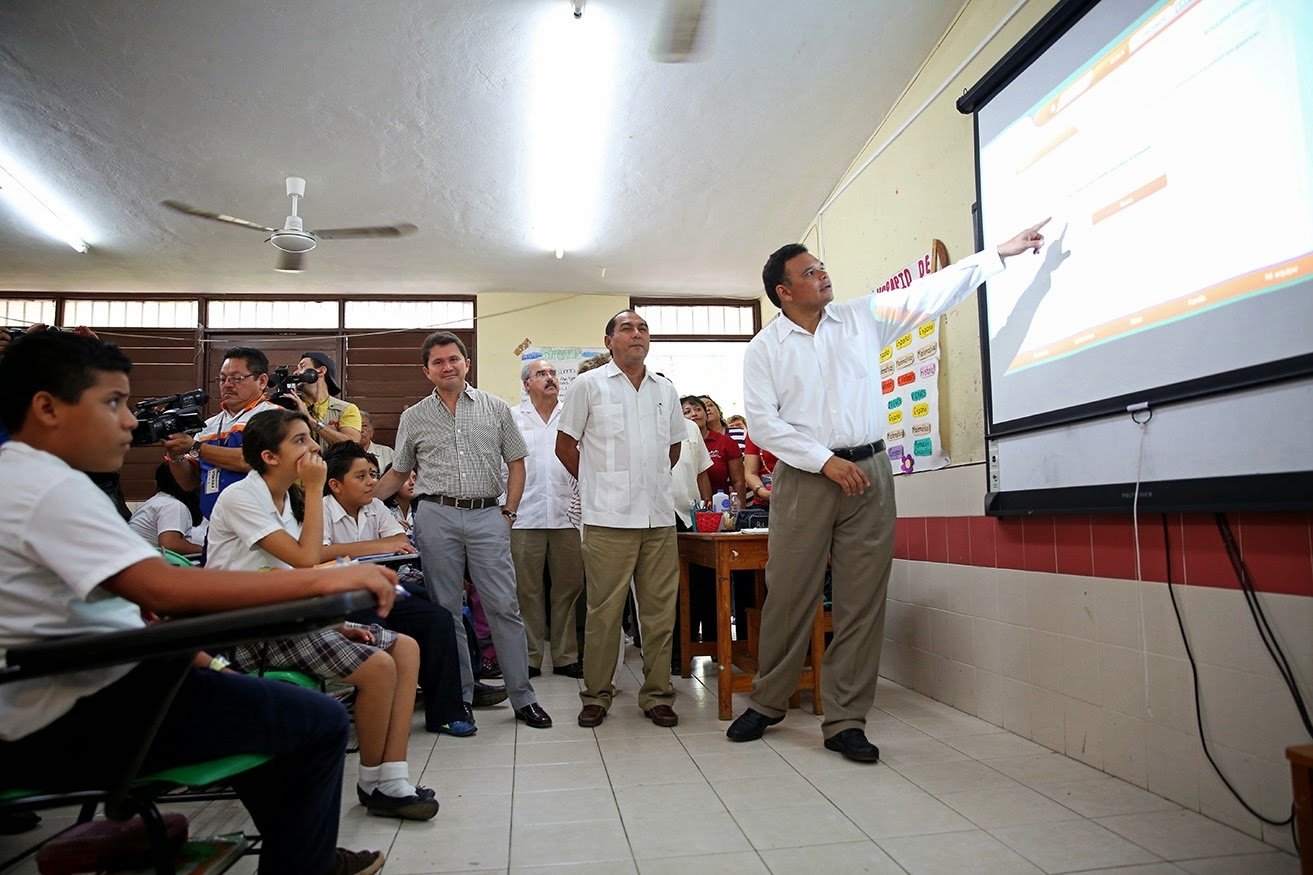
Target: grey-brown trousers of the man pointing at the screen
811,521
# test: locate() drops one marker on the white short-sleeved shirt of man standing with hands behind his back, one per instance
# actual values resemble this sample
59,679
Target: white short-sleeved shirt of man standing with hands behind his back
624,446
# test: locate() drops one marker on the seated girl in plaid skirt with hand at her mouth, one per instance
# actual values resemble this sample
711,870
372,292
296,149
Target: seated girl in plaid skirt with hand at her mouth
253,527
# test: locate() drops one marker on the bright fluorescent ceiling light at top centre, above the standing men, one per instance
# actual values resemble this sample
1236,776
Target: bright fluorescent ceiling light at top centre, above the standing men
574,72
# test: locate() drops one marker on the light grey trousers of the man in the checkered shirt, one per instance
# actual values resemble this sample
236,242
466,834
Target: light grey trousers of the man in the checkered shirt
448,538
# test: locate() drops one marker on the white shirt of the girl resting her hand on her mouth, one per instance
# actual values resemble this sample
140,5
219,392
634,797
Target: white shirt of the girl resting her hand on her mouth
242,518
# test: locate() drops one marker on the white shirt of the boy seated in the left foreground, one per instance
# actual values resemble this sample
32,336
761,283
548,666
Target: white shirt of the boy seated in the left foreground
61,538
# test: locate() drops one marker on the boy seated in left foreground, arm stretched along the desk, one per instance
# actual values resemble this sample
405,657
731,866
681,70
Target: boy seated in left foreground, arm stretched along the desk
72,567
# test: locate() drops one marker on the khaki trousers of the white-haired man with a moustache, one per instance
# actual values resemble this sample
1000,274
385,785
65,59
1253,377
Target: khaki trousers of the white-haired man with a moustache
560,550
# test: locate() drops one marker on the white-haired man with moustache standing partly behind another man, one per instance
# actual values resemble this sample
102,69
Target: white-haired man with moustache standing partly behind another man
546,531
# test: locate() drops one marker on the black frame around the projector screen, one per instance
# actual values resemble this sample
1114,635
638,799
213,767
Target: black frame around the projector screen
1255,493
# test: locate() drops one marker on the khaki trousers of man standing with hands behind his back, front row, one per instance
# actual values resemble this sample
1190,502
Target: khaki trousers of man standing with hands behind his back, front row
611,559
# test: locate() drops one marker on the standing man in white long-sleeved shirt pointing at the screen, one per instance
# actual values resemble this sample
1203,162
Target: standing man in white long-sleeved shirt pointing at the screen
812,390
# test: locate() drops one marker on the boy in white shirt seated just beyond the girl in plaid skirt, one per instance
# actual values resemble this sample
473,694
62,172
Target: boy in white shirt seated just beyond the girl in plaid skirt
359,525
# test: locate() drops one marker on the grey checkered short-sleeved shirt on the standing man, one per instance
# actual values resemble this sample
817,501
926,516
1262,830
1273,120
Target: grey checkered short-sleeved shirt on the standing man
459,457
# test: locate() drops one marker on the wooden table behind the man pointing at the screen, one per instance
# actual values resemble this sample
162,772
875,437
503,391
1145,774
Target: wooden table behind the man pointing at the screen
725,552
